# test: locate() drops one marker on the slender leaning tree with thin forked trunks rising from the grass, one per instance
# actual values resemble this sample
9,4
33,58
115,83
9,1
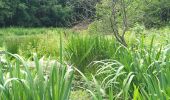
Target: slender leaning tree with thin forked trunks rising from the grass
119,9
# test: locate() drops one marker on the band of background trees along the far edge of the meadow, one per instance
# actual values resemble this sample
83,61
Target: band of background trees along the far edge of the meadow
59,13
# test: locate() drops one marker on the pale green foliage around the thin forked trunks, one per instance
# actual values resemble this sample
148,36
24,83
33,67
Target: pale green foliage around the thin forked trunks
105,14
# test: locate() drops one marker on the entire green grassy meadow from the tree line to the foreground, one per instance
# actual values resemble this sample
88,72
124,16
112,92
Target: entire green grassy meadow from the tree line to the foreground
92,66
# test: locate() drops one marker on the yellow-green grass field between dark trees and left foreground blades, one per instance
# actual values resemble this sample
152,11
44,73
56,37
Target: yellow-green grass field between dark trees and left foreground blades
24,41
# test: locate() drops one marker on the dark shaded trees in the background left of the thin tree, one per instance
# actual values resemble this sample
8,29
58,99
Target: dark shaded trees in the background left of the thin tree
43,13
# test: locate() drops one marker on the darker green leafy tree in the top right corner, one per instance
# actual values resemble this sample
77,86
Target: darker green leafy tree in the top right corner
157,13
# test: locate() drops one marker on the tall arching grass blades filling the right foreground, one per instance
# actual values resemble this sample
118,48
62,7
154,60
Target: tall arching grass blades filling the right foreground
146,77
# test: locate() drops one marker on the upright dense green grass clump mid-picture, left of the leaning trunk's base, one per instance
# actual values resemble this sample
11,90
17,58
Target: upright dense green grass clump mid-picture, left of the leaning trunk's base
82,50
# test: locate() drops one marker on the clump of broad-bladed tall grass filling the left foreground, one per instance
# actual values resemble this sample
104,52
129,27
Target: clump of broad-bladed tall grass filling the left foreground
18,83
